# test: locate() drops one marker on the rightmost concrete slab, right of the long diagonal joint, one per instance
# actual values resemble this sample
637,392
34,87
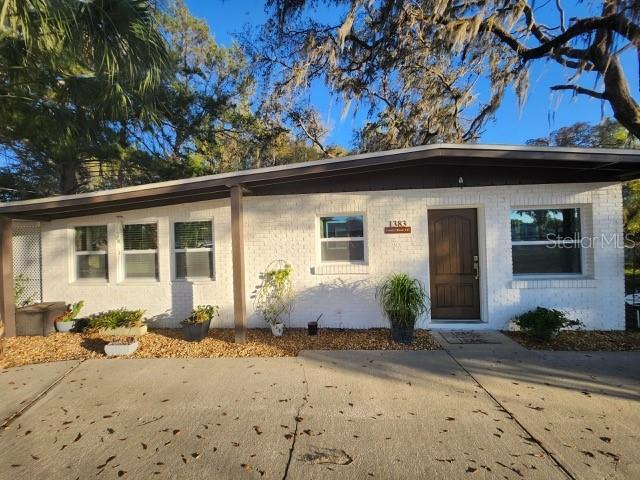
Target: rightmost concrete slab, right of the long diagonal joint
584,407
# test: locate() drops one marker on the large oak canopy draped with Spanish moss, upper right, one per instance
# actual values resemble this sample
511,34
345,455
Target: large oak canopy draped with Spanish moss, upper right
417,64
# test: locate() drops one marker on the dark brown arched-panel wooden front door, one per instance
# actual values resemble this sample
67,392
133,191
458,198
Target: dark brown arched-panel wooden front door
454,264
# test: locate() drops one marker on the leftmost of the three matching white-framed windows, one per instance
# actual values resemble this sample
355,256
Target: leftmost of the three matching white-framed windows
91,247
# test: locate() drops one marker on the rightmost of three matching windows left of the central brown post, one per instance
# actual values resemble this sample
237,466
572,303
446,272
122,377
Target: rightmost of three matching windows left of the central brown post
193,249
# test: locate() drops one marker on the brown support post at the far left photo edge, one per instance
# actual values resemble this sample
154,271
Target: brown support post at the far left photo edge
7,300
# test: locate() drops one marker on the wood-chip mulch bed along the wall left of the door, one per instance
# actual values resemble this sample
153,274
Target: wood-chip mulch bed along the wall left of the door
168,343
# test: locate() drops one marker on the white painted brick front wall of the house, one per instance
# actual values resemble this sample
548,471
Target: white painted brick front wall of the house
285,227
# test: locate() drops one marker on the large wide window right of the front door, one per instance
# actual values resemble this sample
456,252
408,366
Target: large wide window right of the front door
546,241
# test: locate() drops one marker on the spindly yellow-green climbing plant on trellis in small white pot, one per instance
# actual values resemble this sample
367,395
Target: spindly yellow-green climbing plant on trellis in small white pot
274,297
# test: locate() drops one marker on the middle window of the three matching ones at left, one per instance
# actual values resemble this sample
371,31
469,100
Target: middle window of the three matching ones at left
140,251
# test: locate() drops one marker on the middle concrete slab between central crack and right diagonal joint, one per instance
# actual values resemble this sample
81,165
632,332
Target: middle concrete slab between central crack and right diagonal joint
407,415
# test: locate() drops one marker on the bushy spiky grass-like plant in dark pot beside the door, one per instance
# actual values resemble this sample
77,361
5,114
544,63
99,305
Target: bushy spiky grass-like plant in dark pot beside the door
403,300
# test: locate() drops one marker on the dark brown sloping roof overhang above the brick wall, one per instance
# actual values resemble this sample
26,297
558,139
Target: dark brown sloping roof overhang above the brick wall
484,164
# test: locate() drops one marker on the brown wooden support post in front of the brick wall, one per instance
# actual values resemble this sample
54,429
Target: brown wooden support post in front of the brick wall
237,252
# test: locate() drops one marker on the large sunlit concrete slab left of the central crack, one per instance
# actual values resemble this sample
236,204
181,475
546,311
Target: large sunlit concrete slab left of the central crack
159,418
